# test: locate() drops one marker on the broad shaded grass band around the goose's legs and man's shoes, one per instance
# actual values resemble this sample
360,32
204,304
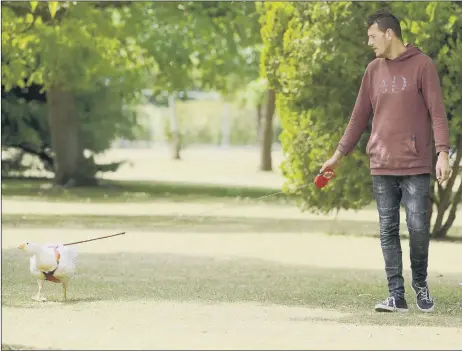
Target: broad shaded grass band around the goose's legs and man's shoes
140,276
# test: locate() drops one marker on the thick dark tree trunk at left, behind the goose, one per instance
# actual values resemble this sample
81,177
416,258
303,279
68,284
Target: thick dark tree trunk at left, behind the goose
69,165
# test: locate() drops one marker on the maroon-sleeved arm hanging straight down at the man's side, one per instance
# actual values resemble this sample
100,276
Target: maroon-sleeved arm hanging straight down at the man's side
431,92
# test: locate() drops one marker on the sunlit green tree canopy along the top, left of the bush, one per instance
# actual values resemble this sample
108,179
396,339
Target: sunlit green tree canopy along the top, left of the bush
181,45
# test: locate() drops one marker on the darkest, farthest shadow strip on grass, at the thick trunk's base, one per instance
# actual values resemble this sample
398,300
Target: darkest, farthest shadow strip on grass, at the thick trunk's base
131,191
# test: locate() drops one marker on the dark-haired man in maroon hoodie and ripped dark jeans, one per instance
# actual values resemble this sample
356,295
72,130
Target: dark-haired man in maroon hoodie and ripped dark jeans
402,89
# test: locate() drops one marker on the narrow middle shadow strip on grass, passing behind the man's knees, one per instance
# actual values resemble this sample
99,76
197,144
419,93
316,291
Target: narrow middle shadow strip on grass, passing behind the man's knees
208,224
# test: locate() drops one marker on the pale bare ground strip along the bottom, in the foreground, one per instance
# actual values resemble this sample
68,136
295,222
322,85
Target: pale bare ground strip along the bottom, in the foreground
175,325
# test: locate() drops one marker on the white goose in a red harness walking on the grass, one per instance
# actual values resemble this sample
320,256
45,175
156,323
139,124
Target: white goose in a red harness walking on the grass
53,262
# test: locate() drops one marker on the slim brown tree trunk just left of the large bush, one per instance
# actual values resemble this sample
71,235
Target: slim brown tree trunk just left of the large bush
267,134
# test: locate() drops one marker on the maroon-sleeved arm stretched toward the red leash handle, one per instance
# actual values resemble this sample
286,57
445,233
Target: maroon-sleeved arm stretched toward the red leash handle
359,118
